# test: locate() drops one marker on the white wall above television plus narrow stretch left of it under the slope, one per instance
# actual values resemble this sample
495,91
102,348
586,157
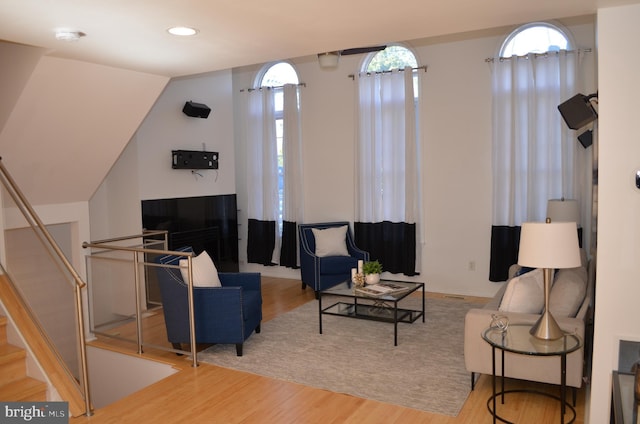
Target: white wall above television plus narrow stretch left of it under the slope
144,171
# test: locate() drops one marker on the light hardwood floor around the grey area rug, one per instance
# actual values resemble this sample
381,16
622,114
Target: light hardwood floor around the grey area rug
210,394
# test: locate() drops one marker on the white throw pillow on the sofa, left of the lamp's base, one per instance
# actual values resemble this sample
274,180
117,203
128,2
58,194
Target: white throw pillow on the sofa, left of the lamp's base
524,293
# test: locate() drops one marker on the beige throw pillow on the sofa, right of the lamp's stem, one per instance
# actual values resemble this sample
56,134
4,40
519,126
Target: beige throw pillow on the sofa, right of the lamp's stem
568,292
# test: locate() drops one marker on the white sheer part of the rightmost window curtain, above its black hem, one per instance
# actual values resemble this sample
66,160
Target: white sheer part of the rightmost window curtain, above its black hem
534,152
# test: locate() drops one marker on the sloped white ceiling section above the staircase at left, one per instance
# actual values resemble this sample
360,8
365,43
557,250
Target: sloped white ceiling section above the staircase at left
69,123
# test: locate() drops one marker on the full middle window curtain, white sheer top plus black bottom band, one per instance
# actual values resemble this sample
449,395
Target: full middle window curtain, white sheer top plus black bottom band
387,194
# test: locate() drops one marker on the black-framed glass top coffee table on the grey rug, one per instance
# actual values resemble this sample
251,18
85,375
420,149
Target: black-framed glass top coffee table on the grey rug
362,305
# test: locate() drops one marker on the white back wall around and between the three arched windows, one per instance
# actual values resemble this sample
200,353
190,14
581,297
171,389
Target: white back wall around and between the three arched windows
456,151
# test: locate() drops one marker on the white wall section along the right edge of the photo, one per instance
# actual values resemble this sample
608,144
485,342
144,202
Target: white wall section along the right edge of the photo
617,291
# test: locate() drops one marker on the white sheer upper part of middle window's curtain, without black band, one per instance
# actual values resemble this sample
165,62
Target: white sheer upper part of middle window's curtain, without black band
387,157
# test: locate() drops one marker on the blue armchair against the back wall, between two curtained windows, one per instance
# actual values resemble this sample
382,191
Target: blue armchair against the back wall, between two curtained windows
323,272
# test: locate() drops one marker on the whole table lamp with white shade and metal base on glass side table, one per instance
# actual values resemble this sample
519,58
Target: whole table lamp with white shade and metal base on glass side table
548,245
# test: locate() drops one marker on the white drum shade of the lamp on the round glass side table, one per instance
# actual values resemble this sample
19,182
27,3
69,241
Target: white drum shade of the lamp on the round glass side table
549,245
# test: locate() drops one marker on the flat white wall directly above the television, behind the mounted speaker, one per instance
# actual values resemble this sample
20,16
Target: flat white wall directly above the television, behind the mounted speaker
166,128
